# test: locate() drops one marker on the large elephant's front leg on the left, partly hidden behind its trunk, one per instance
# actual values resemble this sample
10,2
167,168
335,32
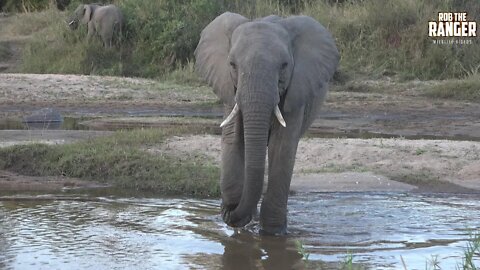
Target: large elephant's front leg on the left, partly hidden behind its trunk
232,164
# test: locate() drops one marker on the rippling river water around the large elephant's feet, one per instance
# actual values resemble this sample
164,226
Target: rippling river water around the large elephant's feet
88,232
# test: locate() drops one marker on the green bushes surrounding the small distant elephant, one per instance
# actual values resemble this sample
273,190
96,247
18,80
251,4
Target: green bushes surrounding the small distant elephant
158,36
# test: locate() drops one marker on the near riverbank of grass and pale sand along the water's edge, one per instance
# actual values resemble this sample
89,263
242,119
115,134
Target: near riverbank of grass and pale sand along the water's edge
178,162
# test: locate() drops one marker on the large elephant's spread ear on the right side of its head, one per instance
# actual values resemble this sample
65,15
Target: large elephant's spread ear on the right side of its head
315,60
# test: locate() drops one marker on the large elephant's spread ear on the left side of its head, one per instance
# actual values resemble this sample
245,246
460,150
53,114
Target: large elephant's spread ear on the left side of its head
212,52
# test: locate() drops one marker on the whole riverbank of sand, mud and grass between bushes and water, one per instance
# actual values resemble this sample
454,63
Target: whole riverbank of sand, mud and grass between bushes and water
370,136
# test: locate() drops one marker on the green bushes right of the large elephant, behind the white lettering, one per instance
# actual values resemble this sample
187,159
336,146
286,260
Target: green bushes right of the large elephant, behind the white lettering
390,37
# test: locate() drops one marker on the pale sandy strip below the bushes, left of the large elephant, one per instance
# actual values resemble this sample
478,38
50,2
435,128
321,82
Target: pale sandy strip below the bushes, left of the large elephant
77,91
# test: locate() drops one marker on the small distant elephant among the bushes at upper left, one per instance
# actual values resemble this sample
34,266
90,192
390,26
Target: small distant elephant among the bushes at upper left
105,21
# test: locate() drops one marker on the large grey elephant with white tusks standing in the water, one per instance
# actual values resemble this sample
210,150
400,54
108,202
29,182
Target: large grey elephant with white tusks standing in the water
264,70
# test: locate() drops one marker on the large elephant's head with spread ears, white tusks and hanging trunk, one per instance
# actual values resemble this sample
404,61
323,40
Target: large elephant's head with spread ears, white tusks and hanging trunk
263,69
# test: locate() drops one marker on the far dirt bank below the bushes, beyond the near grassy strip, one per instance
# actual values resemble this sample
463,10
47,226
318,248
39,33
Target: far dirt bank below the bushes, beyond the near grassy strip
391,109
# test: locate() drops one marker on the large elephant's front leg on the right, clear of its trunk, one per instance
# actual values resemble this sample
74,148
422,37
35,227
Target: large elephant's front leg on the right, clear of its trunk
282,148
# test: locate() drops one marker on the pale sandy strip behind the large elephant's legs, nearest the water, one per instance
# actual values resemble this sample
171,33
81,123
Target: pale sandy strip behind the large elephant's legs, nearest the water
364,164
